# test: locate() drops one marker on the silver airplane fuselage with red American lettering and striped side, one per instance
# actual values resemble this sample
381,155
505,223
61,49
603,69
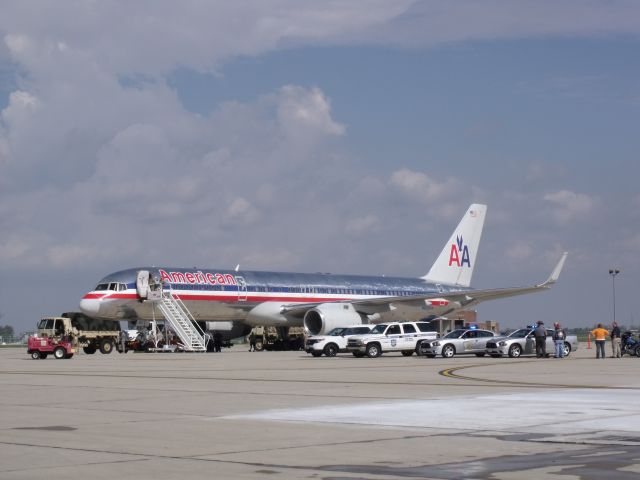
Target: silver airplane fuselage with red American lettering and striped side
253,297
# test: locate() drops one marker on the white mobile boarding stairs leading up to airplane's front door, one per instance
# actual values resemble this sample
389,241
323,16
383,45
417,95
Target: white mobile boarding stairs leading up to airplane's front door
182,322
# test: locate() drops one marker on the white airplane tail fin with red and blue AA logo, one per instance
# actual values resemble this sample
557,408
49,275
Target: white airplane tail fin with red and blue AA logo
458,258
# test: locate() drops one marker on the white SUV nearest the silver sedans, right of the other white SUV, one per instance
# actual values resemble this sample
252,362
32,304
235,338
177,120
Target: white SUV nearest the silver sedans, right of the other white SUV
391,337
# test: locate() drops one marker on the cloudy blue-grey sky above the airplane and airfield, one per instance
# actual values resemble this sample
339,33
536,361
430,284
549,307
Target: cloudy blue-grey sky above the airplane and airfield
336,136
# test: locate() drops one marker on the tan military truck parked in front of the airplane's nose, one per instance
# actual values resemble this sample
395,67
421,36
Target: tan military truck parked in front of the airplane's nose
83,331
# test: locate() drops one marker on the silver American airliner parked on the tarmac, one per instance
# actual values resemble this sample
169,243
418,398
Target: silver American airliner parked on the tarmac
233,301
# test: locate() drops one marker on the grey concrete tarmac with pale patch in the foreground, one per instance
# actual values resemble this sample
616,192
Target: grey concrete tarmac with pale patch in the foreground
287,415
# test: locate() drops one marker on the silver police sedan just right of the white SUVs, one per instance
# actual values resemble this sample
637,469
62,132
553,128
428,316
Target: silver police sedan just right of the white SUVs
456,342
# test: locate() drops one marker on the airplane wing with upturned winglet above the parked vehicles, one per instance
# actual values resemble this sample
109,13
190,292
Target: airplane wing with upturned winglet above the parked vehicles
461,298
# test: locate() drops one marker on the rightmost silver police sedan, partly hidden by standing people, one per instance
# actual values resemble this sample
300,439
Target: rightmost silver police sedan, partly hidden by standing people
522,342
